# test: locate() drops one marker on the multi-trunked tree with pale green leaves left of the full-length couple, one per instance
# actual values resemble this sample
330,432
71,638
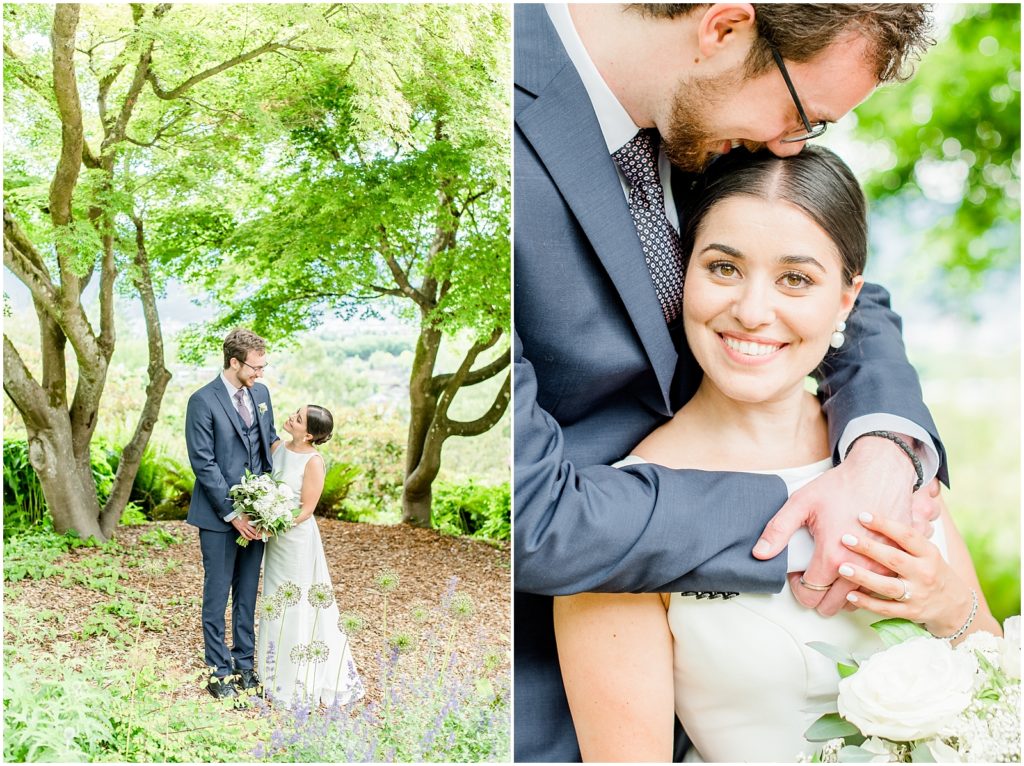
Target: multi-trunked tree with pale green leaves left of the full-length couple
133,108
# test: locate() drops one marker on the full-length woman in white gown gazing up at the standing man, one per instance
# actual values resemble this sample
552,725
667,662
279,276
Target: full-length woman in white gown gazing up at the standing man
304,654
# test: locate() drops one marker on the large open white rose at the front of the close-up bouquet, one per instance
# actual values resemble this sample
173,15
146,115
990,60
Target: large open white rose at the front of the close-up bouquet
910,692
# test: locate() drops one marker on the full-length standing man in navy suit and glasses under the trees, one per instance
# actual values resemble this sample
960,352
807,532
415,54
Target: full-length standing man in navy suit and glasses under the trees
229,431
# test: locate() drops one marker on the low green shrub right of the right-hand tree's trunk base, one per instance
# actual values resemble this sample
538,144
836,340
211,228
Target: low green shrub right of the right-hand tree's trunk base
472,509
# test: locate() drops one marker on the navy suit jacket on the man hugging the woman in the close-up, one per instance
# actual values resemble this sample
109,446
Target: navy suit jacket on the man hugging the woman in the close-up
596,370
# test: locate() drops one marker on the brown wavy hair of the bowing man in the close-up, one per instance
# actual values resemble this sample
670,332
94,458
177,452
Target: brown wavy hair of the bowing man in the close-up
900,33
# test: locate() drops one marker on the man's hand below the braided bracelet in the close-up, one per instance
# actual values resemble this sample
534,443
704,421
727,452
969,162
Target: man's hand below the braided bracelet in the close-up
876,478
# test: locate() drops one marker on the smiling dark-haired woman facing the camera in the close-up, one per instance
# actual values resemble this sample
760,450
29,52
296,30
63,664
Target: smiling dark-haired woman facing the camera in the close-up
777,247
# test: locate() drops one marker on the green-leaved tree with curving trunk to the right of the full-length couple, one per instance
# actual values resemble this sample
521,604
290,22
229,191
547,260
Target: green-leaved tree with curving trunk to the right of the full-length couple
411,205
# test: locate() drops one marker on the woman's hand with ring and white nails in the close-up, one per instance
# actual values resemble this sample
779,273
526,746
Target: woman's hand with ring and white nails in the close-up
925,588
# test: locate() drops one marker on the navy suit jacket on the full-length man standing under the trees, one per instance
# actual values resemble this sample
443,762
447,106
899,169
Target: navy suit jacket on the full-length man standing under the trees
218,450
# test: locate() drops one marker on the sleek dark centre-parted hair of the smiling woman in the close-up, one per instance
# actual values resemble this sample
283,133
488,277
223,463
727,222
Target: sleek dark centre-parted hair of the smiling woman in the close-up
816,181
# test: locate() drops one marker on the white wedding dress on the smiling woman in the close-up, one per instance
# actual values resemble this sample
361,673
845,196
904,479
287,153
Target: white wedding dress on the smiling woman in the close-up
745,677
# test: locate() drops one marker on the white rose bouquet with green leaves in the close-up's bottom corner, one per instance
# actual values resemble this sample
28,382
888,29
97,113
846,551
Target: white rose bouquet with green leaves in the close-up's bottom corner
923,701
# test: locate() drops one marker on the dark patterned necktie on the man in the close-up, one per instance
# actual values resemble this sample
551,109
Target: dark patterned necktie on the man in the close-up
638,161
